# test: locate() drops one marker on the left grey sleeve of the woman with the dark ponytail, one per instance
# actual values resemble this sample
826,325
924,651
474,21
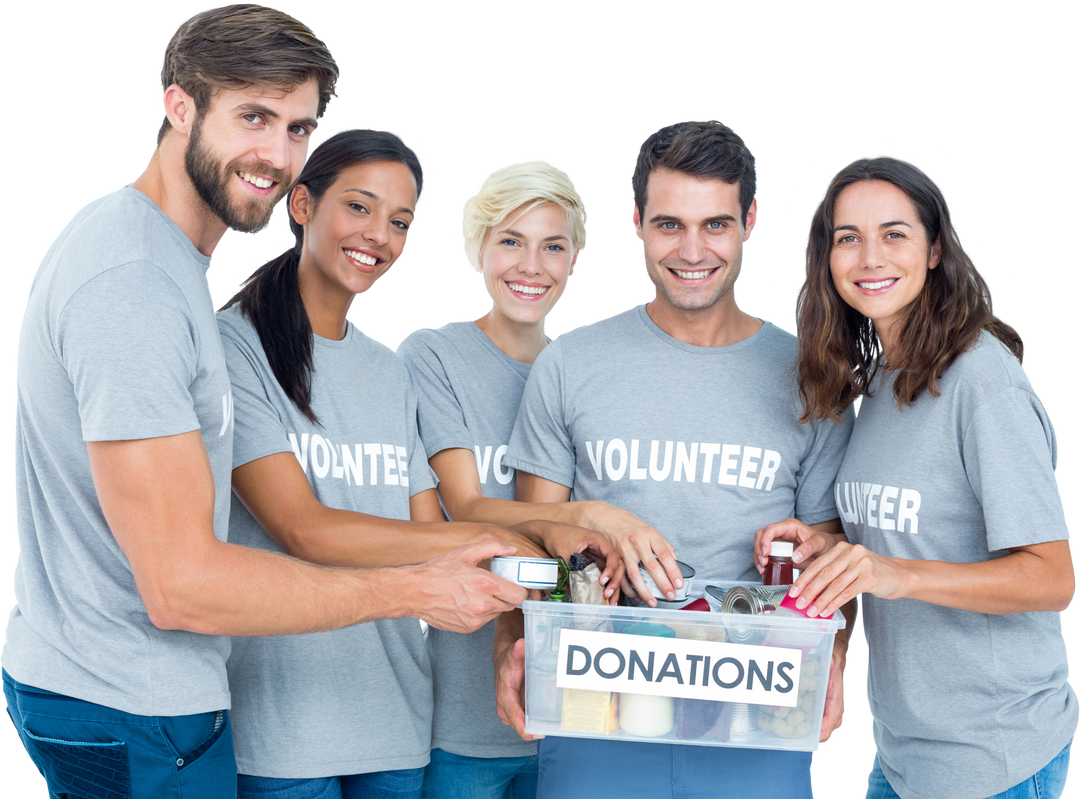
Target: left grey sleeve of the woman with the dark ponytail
260,431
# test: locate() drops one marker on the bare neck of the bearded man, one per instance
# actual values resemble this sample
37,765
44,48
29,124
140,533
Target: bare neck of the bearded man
165,180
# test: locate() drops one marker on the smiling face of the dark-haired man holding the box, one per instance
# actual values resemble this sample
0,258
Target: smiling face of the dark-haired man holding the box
694,239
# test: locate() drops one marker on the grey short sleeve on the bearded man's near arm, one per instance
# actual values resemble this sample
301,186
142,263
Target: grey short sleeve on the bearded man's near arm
131,361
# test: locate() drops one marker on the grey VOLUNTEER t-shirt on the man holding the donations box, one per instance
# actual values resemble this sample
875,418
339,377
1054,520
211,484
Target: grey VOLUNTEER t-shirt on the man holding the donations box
701,443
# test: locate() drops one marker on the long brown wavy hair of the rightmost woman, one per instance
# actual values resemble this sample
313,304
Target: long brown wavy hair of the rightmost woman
839,346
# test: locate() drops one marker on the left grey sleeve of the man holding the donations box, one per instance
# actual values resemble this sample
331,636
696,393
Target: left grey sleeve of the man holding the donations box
541,444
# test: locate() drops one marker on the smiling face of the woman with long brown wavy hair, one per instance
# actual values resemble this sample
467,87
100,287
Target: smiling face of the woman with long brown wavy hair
881,253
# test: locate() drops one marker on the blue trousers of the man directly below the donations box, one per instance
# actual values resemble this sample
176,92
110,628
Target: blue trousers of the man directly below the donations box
582,767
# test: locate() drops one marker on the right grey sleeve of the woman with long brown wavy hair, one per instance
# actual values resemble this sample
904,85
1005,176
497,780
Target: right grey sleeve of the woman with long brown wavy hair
1011,455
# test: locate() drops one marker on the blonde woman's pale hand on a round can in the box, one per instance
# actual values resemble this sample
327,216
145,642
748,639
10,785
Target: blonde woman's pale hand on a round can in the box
637,543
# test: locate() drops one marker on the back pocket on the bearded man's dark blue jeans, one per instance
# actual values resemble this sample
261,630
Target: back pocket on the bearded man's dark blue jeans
83,769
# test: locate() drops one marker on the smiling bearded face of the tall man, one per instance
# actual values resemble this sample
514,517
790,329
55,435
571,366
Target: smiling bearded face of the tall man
244,154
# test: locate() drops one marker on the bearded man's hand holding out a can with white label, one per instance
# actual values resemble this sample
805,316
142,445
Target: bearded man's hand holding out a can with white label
451,593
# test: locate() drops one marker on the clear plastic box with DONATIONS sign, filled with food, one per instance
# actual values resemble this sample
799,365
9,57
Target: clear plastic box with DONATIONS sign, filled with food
677,676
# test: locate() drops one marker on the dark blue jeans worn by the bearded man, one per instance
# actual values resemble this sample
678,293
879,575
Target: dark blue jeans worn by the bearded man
83,750
